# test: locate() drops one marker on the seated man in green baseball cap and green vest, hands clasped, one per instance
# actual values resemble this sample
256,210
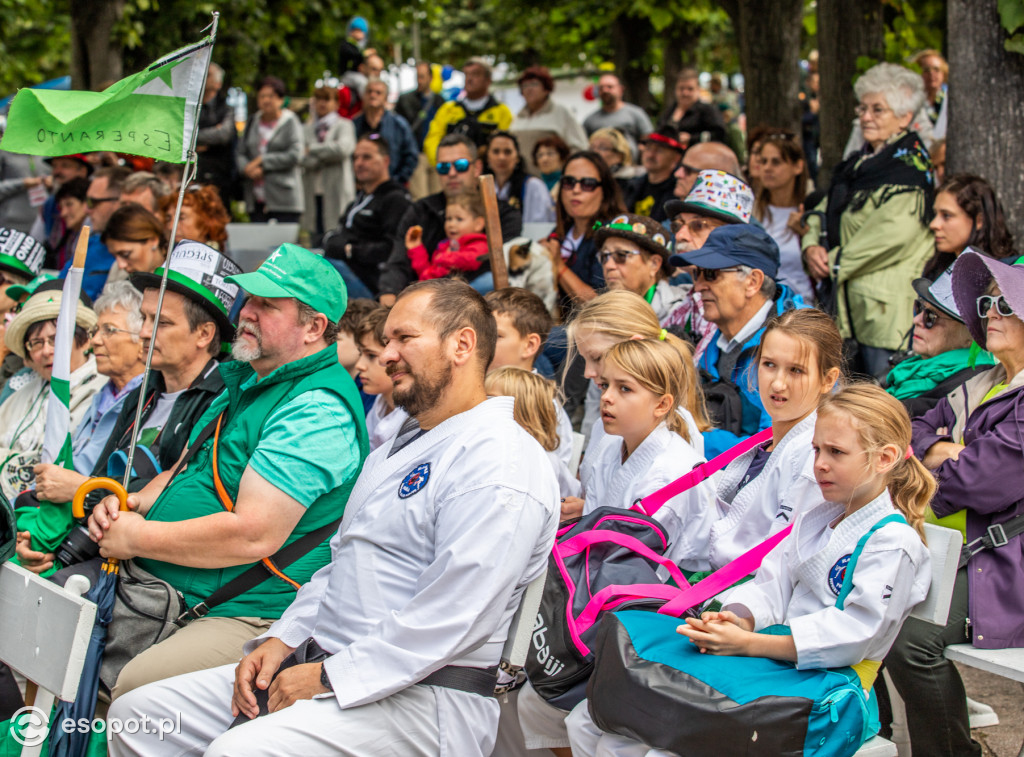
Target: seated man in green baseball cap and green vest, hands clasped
275,458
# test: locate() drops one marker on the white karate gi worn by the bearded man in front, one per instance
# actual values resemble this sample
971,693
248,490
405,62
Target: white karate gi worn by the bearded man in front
426,571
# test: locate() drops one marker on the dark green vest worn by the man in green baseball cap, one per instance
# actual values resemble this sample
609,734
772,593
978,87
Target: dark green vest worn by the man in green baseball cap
192,493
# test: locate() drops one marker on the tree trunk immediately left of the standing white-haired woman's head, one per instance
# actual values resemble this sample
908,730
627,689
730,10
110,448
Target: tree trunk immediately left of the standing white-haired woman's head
847,30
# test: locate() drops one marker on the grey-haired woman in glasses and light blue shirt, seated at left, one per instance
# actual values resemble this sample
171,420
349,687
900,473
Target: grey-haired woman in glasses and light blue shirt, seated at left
120,357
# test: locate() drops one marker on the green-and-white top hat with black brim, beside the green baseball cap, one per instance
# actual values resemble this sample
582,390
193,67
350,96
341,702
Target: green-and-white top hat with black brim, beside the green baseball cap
202,275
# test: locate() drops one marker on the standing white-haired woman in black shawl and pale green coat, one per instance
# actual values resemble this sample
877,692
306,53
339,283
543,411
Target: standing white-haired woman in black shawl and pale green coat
876,222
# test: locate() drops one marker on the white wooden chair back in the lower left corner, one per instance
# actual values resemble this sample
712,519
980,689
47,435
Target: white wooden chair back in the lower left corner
45,636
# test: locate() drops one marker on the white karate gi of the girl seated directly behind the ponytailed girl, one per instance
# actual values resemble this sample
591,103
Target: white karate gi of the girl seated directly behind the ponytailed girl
784,488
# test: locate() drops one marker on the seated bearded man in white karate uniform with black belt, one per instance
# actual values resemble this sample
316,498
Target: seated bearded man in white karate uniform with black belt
443,532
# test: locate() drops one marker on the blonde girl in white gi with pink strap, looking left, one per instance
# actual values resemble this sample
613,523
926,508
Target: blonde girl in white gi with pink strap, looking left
648,445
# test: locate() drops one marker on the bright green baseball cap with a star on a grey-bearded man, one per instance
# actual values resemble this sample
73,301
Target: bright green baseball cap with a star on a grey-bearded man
294,272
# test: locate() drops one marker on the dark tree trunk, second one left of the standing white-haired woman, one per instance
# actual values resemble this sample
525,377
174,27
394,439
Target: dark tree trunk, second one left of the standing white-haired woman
769,37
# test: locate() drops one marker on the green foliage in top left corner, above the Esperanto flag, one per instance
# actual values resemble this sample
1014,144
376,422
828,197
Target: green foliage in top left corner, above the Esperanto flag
35,44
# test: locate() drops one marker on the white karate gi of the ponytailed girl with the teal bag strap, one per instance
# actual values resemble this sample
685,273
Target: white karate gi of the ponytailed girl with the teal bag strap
798,586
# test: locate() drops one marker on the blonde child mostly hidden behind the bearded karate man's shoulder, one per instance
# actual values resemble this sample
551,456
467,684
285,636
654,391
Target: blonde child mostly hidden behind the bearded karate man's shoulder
535,411
